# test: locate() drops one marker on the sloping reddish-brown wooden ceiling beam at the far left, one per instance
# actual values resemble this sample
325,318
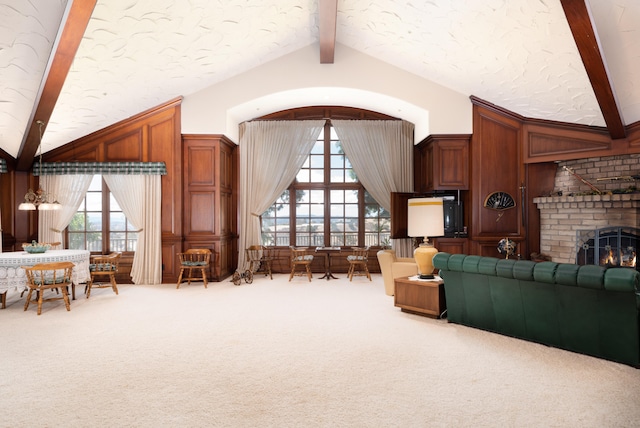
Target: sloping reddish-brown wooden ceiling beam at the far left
64,50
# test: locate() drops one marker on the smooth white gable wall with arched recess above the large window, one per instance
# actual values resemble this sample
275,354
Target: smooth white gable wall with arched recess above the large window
354,79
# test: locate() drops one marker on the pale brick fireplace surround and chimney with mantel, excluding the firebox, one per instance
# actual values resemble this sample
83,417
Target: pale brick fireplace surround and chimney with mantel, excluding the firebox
569,219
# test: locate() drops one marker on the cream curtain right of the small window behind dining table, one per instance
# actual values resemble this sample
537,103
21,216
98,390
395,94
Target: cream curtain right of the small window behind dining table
139,196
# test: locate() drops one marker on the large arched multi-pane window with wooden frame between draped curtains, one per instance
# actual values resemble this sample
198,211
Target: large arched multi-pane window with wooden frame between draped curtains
326,205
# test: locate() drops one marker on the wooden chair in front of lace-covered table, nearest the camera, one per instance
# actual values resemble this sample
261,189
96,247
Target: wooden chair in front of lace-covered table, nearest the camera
48,276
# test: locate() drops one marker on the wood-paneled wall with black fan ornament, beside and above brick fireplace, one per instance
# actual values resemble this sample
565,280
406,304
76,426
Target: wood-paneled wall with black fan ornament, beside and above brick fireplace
517,155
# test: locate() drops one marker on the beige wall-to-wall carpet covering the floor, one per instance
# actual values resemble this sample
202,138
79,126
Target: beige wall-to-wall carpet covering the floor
280,354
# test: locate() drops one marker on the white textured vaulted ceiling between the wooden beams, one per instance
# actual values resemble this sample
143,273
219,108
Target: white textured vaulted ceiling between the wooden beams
136,54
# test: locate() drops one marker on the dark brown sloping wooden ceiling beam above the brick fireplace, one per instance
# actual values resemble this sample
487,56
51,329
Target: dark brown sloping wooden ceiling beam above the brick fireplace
586,38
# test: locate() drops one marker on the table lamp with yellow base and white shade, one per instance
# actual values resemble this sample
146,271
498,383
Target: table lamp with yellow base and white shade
425,218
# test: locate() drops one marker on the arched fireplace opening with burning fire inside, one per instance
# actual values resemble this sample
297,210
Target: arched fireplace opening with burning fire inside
609,246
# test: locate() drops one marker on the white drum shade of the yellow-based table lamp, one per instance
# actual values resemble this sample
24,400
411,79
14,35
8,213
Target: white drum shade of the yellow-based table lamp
425,217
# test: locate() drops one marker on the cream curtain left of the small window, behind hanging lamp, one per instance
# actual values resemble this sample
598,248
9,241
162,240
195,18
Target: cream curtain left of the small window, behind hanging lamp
69,190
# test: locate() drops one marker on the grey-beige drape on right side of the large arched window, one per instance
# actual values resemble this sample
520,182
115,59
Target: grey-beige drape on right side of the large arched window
381,153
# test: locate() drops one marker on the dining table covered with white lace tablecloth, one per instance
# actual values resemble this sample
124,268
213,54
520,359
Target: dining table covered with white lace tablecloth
13,277
